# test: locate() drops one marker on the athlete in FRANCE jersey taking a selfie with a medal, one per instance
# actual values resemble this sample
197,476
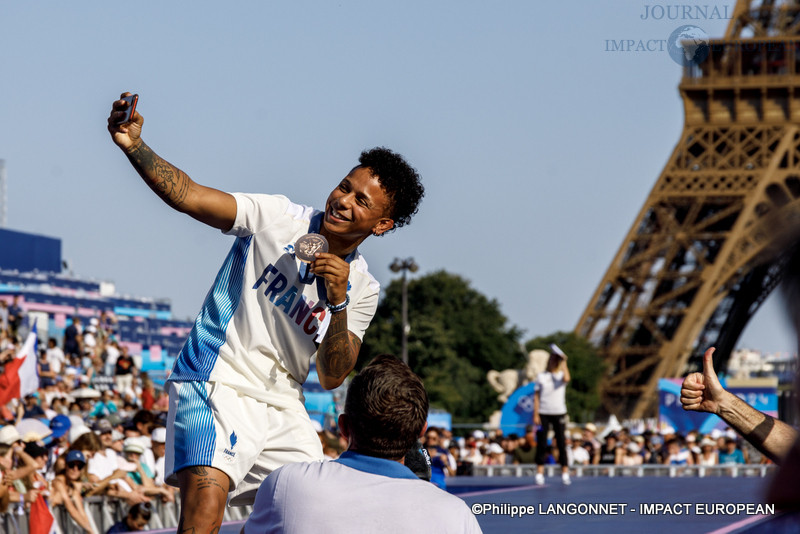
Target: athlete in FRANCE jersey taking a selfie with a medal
236,405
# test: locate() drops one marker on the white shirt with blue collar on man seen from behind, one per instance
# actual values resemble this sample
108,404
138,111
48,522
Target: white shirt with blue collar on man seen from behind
355,494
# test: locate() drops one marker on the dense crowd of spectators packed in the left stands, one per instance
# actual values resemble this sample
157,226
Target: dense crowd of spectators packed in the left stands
95,427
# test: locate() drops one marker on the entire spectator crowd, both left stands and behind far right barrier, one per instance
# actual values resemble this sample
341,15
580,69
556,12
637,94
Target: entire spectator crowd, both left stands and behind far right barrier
101,432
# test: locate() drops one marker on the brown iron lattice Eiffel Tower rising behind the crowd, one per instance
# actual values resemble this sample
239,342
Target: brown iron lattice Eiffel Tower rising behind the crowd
706,248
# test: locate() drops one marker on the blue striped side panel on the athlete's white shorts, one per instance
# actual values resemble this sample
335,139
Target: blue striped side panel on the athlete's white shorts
195,435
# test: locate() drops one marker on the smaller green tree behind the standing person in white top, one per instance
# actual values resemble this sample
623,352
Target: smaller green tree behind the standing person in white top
585,367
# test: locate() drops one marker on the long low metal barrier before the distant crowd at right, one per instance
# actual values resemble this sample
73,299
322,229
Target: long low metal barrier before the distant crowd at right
656,470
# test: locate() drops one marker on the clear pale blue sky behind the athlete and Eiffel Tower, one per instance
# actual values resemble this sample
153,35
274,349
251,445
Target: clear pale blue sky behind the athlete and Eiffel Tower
537,146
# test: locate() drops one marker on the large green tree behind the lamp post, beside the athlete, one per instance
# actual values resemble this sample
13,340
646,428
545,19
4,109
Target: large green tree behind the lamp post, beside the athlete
457,335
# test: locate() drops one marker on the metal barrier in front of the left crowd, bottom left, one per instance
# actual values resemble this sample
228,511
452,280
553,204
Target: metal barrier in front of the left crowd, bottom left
103,512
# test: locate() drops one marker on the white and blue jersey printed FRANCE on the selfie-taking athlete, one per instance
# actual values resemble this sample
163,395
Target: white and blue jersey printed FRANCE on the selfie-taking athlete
259,323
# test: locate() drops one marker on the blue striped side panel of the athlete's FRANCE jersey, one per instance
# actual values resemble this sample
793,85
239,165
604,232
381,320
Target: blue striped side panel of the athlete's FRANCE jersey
201,350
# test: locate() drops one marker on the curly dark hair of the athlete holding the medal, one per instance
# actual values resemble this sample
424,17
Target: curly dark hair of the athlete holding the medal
400,181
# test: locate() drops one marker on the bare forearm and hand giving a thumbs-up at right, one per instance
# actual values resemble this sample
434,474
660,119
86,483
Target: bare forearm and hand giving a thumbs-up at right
703,392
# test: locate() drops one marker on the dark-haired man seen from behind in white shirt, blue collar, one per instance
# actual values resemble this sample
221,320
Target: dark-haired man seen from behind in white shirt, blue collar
368,489
